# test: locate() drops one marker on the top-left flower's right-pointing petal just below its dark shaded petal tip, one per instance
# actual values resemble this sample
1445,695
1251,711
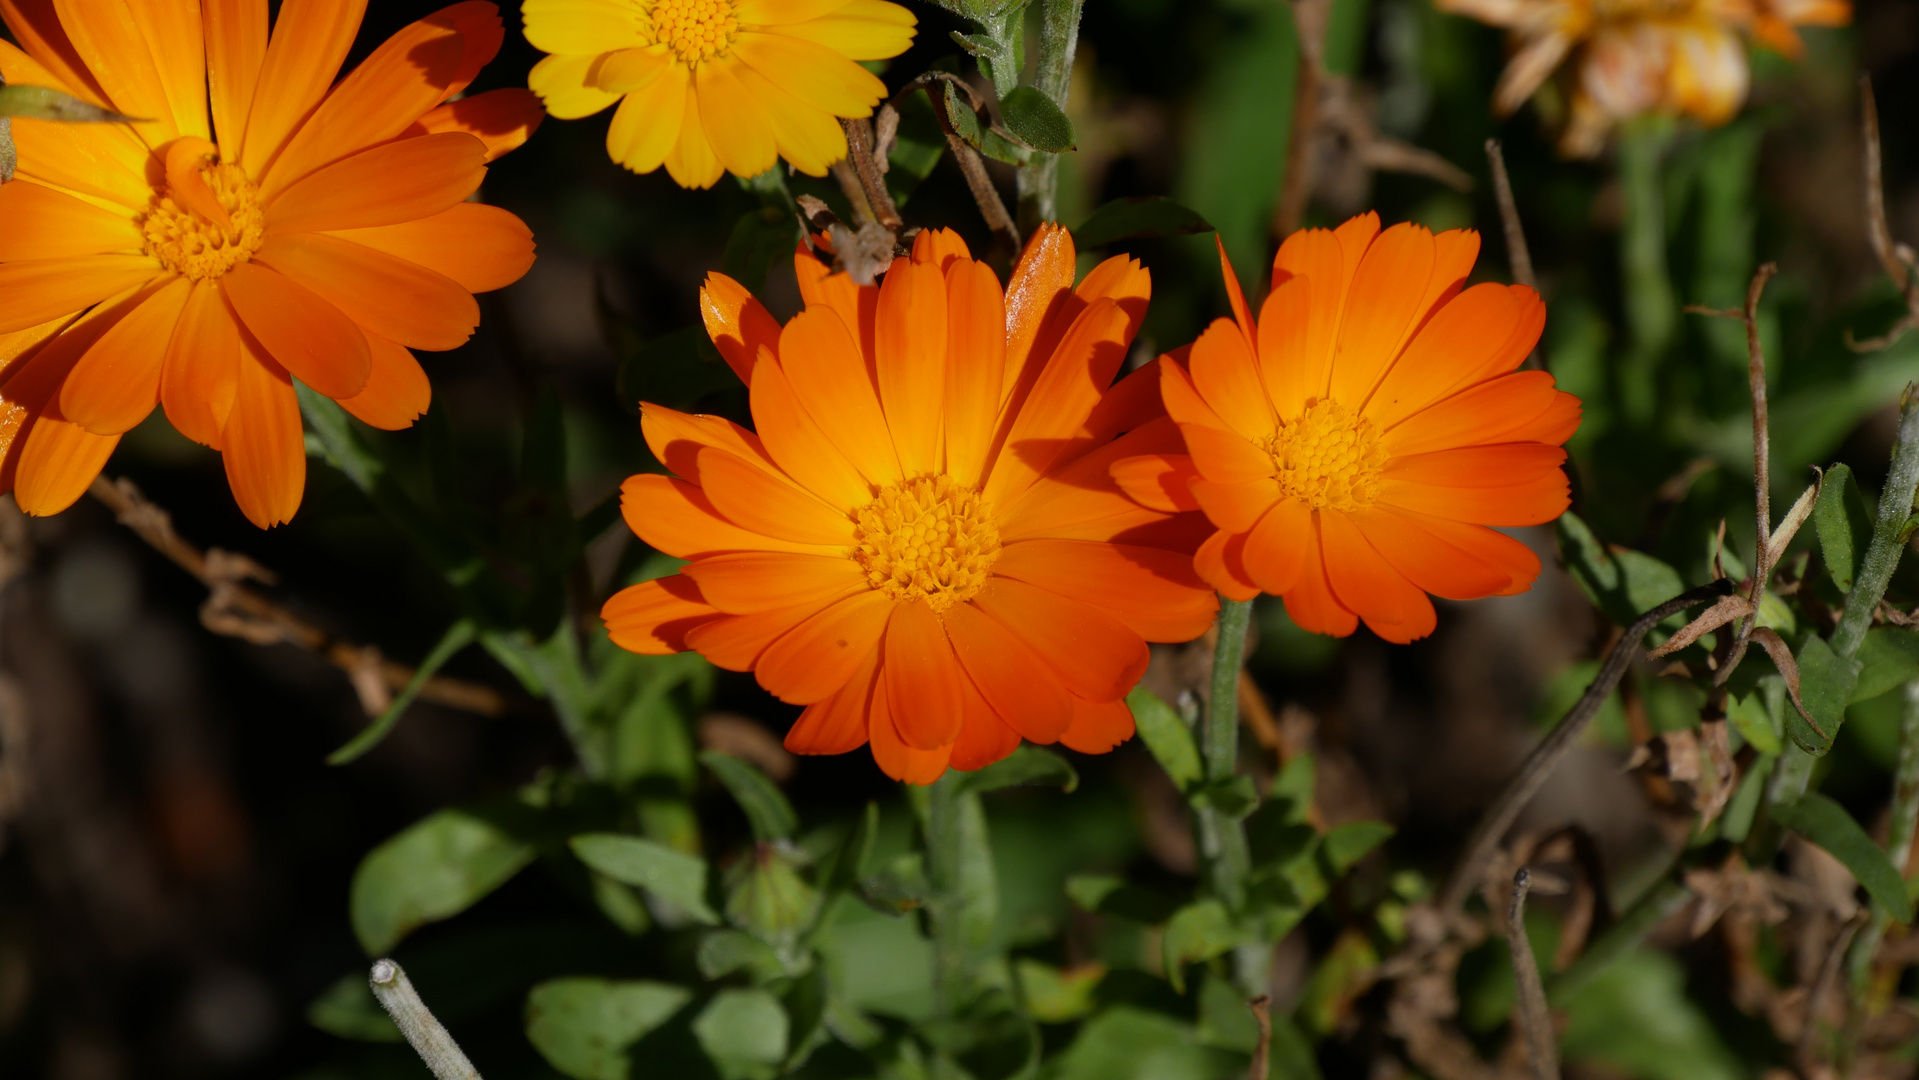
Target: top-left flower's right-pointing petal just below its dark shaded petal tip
387,185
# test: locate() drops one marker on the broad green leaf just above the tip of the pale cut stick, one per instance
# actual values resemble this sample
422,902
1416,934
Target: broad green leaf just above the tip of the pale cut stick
435,870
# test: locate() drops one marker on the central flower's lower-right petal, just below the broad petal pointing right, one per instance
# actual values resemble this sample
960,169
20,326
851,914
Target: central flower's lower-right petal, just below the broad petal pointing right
1095,653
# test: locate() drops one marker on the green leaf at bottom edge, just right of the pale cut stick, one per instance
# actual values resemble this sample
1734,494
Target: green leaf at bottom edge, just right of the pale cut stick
588,1027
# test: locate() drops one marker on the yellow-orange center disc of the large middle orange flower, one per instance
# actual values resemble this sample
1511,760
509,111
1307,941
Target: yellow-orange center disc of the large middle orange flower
926,540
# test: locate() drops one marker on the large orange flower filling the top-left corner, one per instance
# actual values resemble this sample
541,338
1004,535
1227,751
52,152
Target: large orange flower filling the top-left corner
302,231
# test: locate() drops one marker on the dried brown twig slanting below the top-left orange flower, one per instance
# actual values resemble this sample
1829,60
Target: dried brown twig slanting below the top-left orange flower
237,611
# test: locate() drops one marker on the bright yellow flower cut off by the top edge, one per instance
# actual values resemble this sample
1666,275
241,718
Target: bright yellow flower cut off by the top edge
717,85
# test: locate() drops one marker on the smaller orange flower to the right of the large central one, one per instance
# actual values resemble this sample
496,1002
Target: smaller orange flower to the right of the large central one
1356,444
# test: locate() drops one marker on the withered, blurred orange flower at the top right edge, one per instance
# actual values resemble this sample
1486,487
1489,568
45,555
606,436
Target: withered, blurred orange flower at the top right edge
1642,57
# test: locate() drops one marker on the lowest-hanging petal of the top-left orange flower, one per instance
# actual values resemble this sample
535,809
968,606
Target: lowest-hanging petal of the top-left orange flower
264,446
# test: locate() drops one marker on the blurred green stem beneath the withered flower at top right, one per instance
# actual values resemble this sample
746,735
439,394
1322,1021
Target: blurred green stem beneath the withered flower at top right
1651,312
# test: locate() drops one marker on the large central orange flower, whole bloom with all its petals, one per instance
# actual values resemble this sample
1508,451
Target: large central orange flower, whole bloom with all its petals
922,542
